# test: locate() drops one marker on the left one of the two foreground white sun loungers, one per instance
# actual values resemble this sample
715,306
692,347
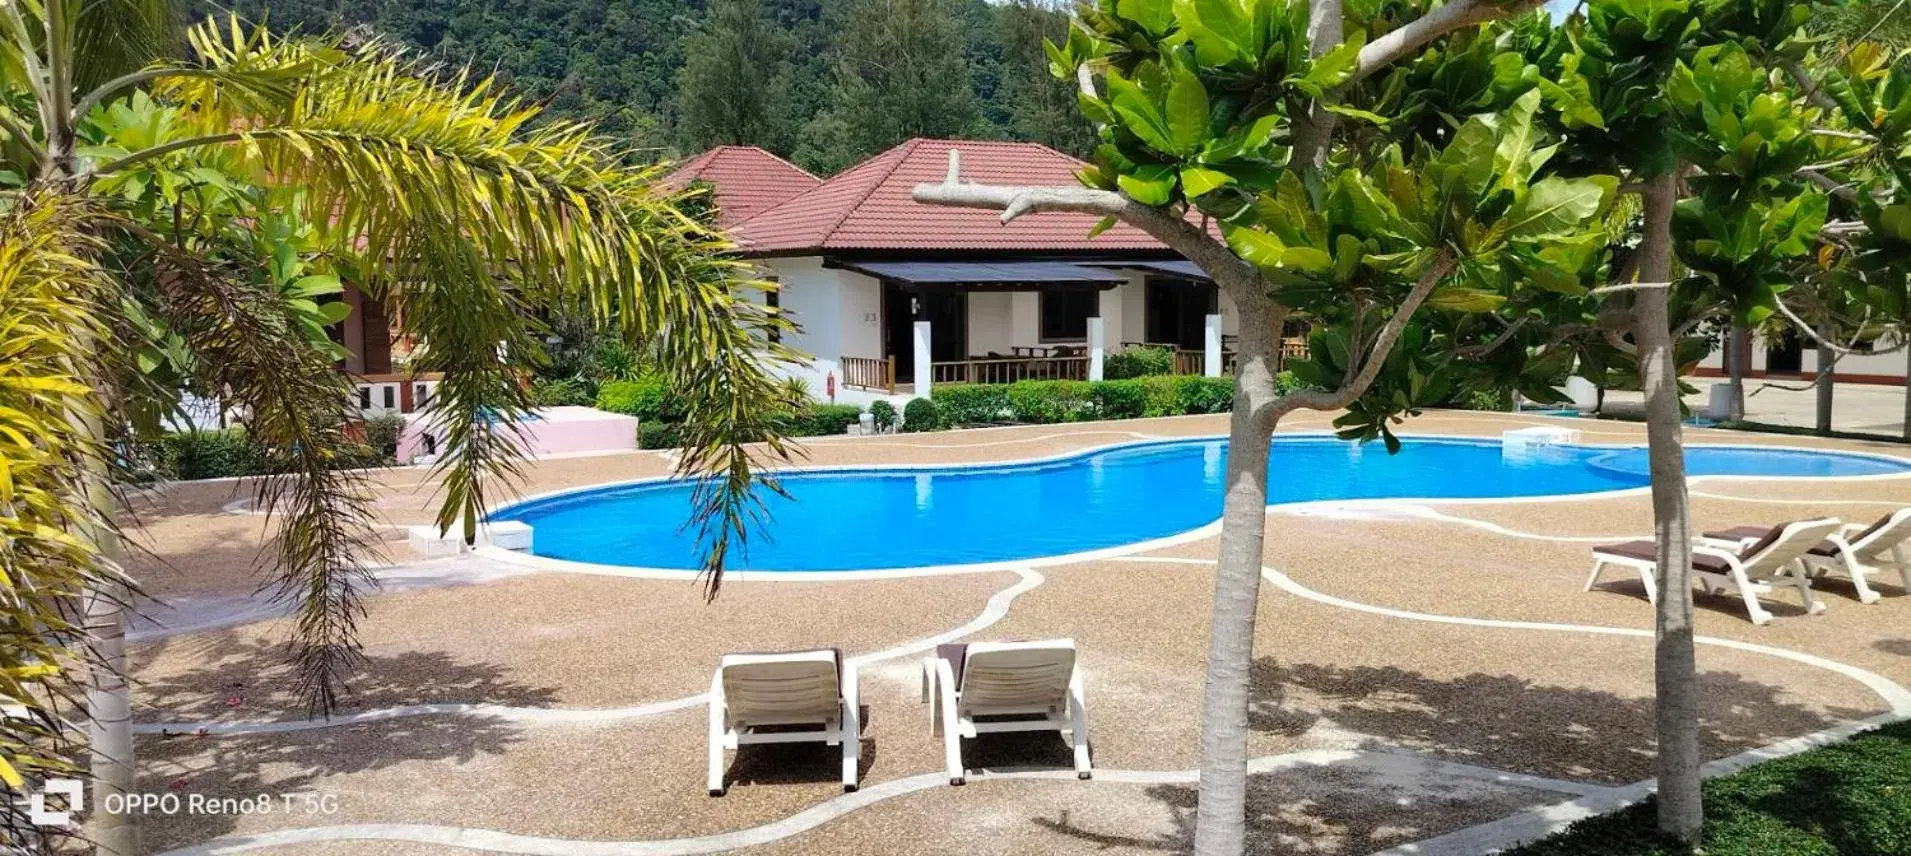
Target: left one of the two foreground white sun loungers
784,698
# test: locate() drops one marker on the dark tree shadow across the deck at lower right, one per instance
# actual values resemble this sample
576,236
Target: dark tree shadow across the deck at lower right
1497,721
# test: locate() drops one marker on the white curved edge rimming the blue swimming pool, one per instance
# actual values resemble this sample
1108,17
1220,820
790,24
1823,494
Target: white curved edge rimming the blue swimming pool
1117,551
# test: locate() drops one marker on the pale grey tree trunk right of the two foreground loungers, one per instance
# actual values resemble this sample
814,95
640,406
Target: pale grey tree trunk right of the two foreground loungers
1222,815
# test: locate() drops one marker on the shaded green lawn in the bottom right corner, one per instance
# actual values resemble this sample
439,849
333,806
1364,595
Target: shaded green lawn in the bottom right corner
1847,800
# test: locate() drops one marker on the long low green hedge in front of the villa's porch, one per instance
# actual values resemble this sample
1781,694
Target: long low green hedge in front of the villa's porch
1048,402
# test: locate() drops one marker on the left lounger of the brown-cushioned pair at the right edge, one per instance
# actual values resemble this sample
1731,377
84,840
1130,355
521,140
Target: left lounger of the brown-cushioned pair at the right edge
1748,567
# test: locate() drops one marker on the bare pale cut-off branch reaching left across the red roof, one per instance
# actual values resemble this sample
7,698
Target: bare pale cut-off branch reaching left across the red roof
1165,226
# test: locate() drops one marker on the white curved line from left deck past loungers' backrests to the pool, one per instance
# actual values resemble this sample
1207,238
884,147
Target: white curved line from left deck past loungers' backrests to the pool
995,610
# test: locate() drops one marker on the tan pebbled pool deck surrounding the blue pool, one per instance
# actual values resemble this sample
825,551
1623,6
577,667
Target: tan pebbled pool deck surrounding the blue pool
1402,687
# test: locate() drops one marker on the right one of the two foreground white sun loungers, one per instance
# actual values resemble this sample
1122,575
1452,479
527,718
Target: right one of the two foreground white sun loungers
1006,687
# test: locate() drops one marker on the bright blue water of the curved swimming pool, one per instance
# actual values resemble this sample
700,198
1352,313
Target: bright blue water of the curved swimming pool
888,519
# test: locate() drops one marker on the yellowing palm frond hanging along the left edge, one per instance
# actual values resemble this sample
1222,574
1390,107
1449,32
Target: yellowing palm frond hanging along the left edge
54,532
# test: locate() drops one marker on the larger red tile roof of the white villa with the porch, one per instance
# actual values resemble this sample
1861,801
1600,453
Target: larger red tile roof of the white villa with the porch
869,207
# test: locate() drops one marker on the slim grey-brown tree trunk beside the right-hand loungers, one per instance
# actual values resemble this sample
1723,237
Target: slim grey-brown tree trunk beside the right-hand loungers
1675,668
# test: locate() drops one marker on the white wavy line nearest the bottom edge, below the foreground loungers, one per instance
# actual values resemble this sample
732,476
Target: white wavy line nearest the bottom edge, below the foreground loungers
1383,765
